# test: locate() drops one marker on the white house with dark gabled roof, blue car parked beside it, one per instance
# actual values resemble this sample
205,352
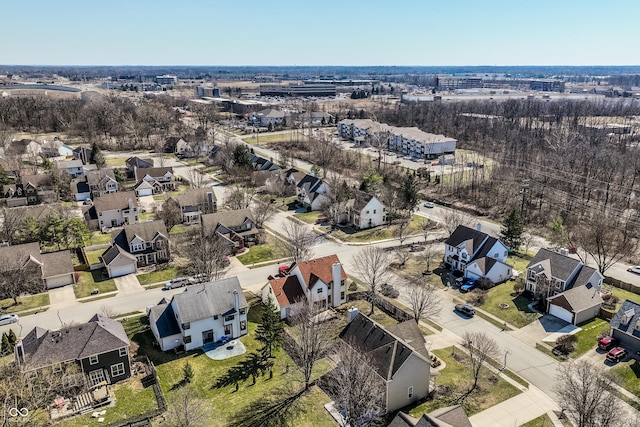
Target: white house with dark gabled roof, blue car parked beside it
477,255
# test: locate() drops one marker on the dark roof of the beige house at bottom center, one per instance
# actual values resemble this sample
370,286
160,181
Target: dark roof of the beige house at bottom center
386,351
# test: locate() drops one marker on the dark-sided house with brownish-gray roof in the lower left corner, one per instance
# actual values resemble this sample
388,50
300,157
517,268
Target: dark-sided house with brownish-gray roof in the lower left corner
99,347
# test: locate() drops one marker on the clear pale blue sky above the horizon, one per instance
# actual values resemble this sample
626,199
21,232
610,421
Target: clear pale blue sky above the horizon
322,32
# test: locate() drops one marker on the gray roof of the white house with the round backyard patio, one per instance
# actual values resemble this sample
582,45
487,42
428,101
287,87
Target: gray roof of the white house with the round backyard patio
214,298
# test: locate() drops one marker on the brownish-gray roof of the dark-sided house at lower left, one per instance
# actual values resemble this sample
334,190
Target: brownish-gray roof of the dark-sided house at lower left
99,335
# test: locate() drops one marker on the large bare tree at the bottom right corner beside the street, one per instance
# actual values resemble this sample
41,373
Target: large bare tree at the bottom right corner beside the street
585,394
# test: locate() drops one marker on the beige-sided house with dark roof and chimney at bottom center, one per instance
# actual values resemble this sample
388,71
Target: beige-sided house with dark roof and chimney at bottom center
403,368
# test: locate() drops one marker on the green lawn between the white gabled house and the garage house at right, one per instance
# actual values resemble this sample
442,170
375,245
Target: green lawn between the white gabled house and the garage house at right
517,312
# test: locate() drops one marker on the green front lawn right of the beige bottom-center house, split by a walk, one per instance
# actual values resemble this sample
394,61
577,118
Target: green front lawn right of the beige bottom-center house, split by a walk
456,375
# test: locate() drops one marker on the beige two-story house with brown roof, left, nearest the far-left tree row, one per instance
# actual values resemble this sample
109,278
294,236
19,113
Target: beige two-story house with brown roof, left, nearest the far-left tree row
112,210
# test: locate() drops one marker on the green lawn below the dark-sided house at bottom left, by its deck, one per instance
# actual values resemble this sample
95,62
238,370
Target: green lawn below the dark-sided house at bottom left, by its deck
131,399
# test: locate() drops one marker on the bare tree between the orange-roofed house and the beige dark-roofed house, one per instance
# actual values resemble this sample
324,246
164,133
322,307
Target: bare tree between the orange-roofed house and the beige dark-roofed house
309,337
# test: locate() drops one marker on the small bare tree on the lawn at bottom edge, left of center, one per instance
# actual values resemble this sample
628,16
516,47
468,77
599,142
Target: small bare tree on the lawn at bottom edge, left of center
185,409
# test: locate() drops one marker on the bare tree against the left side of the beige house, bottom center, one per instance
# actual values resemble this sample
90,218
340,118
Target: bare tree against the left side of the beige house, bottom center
355,387
